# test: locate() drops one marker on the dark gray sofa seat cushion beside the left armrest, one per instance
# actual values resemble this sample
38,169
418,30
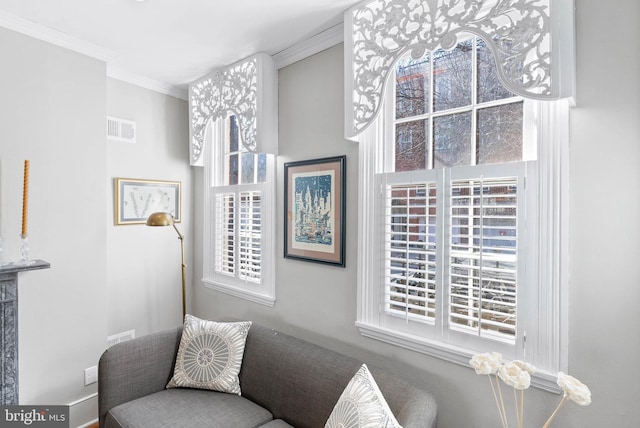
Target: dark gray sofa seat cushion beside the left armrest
187,408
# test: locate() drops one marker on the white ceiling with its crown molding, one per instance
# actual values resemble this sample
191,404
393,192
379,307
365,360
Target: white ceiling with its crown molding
172,42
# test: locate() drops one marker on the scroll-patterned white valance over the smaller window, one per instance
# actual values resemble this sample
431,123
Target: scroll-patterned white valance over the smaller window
248,90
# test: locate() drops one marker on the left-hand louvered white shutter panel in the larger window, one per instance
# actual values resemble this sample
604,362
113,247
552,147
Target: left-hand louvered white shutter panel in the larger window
410,250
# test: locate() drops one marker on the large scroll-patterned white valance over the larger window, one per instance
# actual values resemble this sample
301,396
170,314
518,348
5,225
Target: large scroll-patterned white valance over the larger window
532,41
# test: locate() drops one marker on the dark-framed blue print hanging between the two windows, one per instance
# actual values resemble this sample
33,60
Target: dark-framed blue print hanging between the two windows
314,207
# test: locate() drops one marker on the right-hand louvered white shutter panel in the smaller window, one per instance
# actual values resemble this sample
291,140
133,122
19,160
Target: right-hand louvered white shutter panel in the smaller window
250,234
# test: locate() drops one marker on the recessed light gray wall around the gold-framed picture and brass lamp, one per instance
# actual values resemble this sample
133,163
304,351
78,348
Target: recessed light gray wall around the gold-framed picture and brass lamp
143,285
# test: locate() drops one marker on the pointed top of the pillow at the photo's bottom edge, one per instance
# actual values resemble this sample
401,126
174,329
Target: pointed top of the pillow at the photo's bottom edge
362,405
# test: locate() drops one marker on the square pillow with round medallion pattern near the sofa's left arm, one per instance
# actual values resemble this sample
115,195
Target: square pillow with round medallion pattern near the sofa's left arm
210,355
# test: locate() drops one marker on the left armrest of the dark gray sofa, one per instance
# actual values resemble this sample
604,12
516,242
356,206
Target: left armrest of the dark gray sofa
136,368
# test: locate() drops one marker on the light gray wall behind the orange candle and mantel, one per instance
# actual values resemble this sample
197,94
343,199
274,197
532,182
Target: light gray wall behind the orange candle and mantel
52,110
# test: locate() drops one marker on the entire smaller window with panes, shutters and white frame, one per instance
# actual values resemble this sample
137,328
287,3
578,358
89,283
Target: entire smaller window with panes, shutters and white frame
238,260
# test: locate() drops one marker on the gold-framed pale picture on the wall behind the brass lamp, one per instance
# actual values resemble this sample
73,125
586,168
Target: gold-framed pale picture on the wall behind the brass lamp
136,199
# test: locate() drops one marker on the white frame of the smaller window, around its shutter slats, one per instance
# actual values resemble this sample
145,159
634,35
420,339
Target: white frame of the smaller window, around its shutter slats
262,292
